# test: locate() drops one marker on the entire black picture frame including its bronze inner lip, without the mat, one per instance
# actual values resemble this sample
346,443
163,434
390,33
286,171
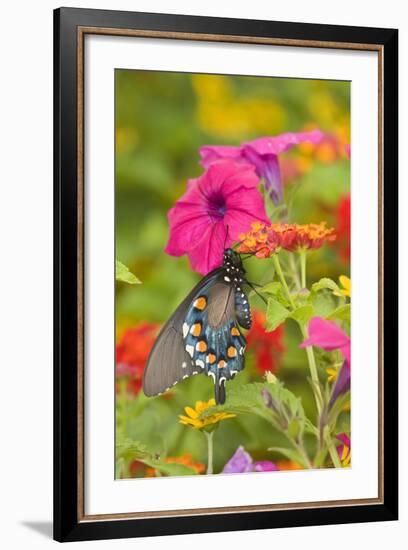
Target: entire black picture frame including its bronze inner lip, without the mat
70,28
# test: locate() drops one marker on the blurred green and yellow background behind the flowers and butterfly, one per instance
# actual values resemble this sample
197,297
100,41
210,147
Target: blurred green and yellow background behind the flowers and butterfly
162,119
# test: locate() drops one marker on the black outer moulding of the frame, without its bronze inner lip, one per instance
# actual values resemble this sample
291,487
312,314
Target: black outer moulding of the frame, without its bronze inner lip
67,527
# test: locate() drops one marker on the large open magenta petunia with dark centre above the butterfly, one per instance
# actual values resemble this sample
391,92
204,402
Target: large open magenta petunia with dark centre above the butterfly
215,209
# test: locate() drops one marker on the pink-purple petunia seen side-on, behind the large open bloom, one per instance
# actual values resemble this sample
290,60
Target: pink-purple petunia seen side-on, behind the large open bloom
263,154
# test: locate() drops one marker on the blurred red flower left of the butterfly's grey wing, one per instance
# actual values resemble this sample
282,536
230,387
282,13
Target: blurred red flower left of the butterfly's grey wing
132,352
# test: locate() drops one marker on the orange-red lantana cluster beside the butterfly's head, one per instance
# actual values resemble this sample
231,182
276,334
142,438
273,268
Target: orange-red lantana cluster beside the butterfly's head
264,240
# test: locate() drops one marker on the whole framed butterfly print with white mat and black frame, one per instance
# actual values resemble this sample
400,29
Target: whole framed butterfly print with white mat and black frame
225,274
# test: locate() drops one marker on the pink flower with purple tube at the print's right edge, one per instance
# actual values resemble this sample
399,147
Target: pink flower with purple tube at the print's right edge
327,335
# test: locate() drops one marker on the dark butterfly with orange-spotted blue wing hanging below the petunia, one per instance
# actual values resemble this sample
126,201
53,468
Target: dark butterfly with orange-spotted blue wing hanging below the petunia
203,335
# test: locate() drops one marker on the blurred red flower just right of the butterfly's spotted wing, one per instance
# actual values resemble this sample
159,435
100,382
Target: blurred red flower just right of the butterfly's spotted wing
267,346
